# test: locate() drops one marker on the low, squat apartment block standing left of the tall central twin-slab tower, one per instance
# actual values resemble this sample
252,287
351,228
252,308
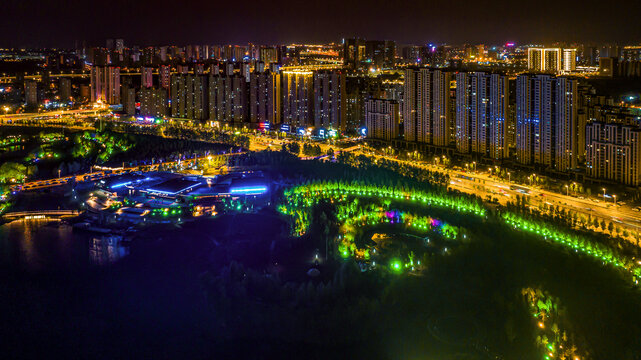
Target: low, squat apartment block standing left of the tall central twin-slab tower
382,118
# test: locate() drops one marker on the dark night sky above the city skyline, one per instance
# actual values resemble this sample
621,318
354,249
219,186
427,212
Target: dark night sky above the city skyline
161,22
